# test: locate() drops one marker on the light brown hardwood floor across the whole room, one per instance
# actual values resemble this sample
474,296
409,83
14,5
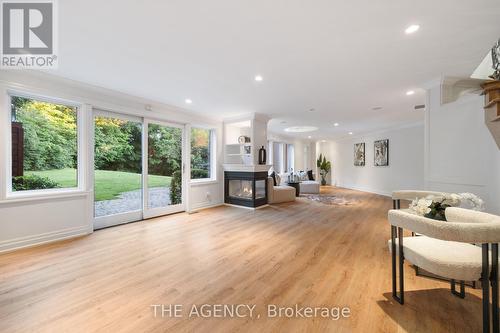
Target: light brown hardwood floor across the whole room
304,253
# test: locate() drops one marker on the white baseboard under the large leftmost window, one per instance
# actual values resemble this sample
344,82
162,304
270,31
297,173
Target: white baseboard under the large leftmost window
49,237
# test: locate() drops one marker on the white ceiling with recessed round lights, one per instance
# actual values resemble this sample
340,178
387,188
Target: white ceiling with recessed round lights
341,58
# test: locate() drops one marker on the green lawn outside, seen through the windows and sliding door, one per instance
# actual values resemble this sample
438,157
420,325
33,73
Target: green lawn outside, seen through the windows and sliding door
108,184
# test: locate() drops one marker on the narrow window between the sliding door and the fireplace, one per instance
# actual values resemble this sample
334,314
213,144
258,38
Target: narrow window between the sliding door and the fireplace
201,153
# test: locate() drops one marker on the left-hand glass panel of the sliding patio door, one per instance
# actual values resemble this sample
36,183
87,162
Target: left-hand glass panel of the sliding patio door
118,186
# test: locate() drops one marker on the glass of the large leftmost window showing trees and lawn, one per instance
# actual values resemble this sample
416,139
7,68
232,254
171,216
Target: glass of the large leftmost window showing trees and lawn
44,145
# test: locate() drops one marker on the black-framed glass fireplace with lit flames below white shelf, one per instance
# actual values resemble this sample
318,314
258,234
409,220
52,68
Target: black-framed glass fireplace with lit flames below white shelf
244,188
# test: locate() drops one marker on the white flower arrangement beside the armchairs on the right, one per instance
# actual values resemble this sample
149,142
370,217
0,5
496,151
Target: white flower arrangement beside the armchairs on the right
433,206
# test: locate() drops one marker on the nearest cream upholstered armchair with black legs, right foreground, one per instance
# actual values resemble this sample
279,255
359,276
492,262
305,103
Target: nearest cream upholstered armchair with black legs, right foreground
447,249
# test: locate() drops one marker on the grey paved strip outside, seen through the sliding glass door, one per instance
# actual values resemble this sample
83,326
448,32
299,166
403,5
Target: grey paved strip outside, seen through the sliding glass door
130,201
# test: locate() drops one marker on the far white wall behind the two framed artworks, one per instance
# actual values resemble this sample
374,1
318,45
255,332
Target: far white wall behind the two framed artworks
406,161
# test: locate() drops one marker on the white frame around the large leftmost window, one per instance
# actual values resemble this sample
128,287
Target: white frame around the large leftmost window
80,188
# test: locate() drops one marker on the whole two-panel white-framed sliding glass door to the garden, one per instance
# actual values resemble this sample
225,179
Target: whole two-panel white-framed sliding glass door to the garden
138,169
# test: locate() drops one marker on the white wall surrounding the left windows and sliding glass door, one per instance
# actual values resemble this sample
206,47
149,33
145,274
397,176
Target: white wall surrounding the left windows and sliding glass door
30,221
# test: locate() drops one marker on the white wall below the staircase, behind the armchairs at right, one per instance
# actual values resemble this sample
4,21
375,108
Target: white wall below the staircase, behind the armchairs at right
461,153
